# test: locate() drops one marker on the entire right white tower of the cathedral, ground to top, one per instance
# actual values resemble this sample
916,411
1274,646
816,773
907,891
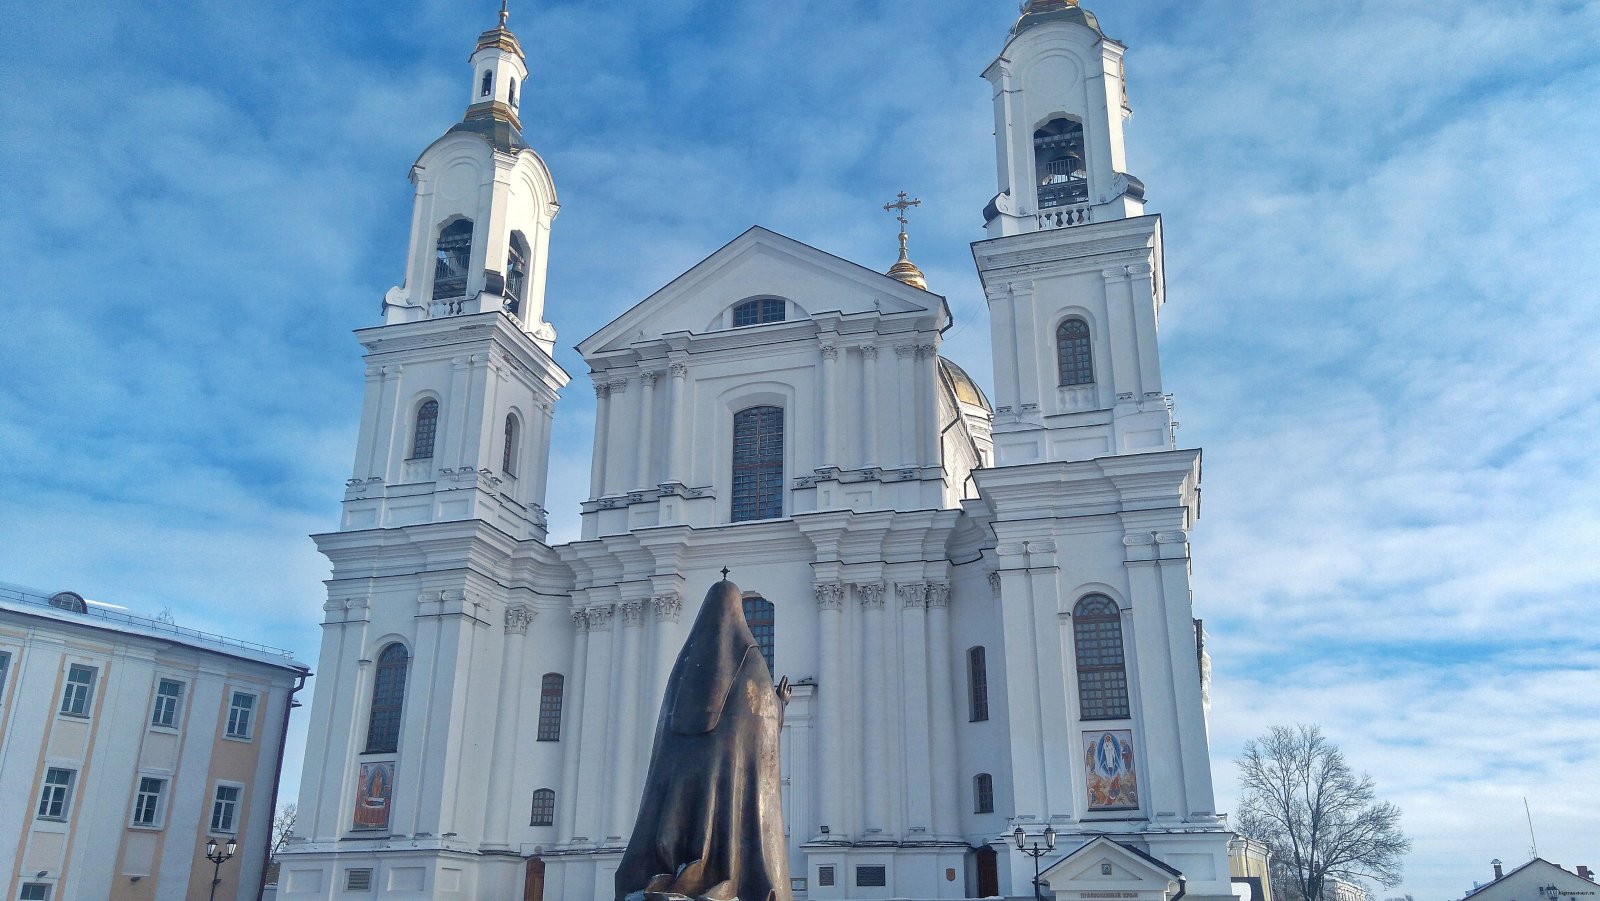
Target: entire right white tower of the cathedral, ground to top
1090,499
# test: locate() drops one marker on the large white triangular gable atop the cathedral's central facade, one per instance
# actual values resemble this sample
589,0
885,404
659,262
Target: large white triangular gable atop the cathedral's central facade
762,263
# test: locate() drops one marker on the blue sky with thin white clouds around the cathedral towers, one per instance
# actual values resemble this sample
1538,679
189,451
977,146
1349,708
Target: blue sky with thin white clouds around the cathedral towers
1383,314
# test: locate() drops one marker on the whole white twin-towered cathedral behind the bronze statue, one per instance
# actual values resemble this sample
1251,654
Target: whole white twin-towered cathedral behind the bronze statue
985,607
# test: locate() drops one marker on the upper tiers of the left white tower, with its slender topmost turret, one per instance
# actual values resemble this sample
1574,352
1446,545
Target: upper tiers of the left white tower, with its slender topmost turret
460,378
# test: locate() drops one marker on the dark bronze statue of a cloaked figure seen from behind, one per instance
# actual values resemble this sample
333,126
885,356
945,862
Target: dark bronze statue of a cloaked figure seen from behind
711,823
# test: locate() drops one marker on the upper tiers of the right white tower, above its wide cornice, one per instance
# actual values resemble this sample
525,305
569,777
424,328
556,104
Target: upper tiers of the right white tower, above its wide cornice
1073,270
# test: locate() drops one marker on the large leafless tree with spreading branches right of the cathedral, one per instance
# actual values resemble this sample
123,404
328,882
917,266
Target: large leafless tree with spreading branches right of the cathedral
1316,814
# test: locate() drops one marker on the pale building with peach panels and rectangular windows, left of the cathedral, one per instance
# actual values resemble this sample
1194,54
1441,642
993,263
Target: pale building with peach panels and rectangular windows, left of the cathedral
126,745
